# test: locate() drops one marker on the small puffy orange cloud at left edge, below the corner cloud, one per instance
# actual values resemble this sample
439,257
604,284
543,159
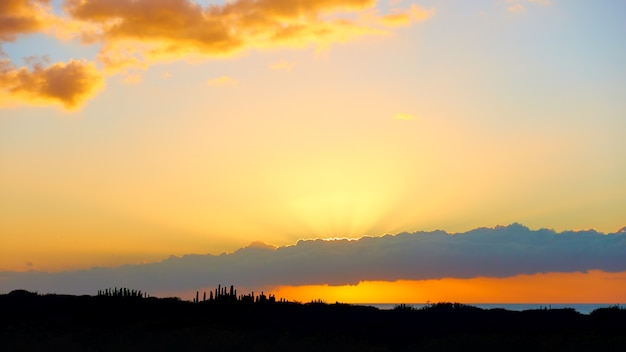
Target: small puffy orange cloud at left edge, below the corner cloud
69,84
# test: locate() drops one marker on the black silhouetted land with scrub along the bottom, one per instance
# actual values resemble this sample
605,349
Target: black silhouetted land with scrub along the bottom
31,322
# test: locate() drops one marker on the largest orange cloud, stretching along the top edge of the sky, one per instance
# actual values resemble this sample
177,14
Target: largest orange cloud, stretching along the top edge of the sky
169,29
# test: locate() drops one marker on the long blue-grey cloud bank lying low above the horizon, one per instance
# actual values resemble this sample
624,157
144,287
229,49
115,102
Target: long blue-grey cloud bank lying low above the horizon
498,252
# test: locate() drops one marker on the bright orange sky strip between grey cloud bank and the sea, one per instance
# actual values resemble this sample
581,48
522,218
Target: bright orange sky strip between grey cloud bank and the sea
594,286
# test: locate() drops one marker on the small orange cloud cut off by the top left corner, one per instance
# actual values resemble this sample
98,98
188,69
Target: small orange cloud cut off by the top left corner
22,16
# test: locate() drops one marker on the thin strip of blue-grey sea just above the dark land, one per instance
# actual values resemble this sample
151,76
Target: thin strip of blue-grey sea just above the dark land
581,308
